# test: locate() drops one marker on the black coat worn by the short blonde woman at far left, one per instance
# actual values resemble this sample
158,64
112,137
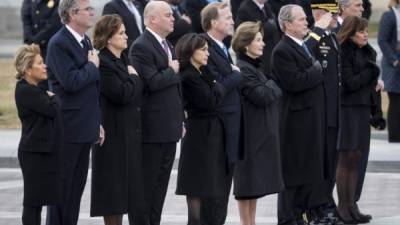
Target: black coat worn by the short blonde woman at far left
40,148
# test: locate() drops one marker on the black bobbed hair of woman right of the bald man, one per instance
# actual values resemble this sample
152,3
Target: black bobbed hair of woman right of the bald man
186,46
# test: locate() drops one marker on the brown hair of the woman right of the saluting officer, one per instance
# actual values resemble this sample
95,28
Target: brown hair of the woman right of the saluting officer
351,25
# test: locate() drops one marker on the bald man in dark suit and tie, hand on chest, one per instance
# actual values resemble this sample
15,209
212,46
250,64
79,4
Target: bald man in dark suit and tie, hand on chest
162,112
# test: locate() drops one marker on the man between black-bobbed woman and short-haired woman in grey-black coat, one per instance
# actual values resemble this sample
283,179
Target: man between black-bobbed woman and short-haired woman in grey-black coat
217,21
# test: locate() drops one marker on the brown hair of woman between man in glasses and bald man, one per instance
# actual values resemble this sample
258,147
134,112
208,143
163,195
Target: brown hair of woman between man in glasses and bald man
105,28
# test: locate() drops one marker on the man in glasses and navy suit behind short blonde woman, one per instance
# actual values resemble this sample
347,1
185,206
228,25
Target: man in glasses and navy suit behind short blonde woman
73,76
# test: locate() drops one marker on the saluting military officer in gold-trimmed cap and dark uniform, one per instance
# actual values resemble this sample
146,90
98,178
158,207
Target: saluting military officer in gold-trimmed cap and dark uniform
325,47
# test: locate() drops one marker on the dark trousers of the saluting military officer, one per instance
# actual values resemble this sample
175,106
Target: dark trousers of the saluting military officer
321,193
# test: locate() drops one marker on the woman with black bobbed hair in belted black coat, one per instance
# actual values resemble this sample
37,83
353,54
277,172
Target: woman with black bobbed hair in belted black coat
203,171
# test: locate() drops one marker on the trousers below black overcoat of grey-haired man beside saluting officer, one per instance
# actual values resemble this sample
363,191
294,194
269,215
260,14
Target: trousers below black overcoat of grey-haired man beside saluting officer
291,204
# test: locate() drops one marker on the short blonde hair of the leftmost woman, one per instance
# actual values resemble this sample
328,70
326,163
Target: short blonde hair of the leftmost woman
24,58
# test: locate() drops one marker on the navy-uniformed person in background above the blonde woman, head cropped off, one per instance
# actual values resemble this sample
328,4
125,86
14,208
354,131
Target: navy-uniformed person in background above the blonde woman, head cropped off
40,22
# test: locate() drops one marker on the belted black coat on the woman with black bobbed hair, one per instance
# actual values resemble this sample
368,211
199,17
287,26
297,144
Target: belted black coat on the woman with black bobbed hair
203,162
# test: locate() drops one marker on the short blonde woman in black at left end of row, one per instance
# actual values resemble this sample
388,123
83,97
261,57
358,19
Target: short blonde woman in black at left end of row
39,150
